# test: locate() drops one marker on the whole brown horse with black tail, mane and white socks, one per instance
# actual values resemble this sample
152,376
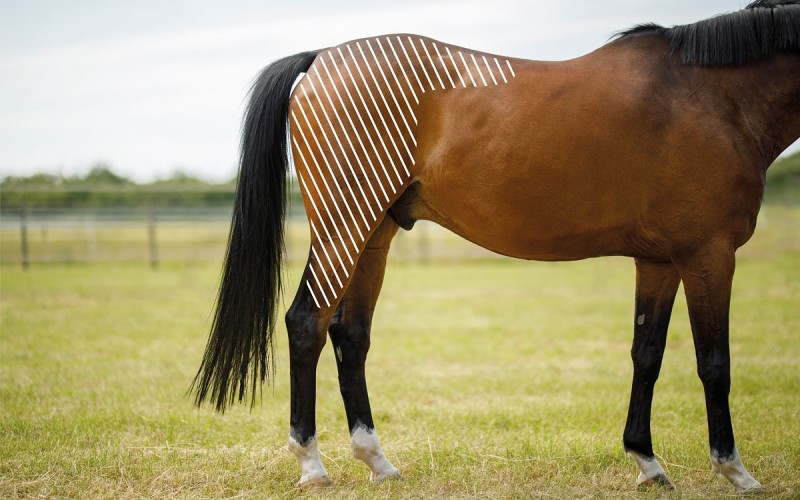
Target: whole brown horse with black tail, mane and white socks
655,146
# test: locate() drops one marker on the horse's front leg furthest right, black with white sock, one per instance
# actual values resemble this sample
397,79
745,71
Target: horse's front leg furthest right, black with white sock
707,278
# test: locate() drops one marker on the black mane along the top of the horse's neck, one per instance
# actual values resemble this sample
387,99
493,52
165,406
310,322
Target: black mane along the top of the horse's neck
753,33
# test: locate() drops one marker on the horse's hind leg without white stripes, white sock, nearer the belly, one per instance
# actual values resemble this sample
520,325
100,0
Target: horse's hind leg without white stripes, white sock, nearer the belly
349,332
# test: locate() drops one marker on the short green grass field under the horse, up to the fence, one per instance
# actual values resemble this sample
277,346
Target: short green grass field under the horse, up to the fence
491,378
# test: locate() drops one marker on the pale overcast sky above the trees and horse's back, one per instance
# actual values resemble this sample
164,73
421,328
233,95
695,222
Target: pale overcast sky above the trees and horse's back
152,87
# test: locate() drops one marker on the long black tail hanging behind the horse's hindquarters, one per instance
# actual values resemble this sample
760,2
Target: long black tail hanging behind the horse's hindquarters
240,350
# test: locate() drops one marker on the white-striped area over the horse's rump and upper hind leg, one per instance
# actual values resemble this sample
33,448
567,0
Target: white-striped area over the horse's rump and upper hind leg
353,127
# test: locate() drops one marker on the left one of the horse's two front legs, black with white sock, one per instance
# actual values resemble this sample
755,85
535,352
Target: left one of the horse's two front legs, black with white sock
656,286
